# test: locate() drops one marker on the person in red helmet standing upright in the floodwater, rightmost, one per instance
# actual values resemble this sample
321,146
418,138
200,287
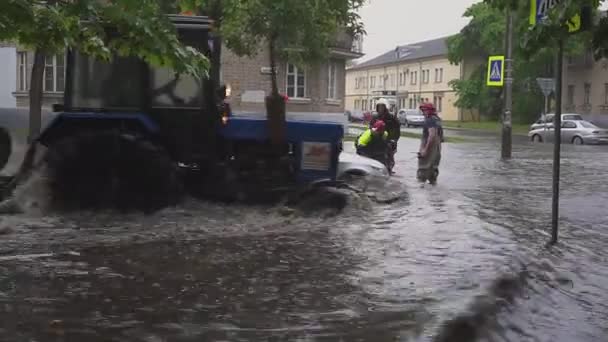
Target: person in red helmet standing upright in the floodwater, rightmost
429,155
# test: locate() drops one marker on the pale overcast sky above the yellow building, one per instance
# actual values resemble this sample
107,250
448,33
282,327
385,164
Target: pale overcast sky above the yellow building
398,22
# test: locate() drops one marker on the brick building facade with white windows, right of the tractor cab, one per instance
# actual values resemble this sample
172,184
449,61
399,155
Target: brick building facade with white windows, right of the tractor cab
318,88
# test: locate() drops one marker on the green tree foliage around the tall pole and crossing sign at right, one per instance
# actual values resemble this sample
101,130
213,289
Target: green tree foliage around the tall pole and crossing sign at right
534,56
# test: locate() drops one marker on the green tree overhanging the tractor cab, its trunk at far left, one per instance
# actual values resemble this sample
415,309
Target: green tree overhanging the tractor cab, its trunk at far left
139,29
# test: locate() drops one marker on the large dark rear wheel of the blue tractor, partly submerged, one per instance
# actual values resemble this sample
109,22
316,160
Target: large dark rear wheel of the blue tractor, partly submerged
112,170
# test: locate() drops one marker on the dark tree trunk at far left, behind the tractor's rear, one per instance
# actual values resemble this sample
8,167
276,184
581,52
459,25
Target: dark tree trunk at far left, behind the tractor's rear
36,96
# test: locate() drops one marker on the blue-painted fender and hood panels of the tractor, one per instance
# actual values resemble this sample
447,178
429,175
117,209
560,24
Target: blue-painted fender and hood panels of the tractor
315,146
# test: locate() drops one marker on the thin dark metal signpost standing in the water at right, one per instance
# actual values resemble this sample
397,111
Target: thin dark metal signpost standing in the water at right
557,128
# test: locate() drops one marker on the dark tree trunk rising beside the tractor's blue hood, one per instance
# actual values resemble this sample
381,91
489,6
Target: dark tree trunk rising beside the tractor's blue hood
275,106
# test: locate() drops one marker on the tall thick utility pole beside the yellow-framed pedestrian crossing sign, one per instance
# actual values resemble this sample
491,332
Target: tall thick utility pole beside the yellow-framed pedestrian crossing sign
507,139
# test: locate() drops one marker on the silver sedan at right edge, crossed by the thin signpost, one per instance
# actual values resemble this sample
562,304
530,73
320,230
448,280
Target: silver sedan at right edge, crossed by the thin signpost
577,132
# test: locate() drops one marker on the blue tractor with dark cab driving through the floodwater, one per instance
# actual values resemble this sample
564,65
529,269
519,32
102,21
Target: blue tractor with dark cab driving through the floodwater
136,136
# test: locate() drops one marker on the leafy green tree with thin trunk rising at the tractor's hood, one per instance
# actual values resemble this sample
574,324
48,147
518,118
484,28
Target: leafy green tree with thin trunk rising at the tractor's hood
300,31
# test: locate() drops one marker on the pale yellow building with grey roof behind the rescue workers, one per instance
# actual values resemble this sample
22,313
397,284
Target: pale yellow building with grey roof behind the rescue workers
406,76
